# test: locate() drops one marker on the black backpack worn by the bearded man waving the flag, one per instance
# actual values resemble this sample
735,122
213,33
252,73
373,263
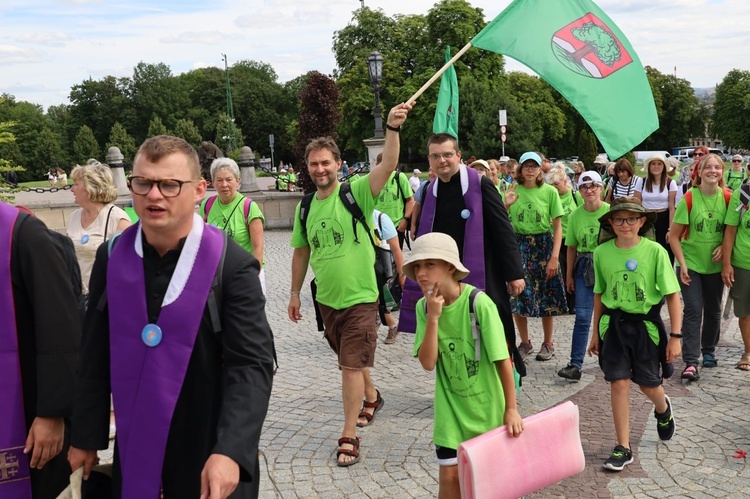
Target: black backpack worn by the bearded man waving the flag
383,269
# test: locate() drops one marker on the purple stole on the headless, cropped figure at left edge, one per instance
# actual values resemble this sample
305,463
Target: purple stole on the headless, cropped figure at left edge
14,465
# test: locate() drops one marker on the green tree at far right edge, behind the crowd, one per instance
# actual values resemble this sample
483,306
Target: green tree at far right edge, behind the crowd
730,118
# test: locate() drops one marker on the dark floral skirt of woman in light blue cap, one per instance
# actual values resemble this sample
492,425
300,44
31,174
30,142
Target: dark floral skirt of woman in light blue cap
540,297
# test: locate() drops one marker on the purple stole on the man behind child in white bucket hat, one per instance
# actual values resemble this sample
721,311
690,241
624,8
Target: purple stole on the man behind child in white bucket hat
473,243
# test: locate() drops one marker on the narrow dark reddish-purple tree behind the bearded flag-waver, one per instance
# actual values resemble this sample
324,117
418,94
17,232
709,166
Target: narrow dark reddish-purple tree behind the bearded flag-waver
319,118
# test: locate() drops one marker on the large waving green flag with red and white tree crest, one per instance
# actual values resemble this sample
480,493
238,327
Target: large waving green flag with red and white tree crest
577,49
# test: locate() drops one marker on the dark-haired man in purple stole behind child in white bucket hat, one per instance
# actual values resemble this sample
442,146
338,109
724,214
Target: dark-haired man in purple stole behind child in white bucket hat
467,207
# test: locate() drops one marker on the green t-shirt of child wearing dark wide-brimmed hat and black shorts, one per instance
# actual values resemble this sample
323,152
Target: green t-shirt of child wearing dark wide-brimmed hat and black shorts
633,280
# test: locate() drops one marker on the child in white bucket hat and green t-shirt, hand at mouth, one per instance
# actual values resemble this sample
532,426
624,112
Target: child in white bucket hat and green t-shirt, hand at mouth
474,387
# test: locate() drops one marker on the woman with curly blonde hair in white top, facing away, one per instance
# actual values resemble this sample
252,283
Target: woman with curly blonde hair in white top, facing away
98,219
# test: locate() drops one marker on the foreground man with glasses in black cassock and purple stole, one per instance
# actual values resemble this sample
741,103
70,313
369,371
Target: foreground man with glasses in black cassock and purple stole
176,330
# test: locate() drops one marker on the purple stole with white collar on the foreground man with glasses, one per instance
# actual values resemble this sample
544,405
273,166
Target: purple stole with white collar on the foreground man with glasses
146,381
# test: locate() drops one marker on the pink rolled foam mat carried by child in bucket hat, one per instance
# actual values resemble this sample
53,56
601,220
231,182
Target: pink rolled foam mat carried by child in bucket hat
496,465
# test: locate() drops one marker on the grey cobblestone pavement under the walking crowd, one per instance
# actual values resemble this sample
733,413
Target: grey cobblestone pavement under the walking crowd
398,460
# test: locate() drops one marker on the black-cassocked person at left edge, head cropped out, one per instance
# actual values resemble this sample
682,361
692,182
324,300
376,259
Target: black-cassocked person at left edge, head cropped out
48,331
